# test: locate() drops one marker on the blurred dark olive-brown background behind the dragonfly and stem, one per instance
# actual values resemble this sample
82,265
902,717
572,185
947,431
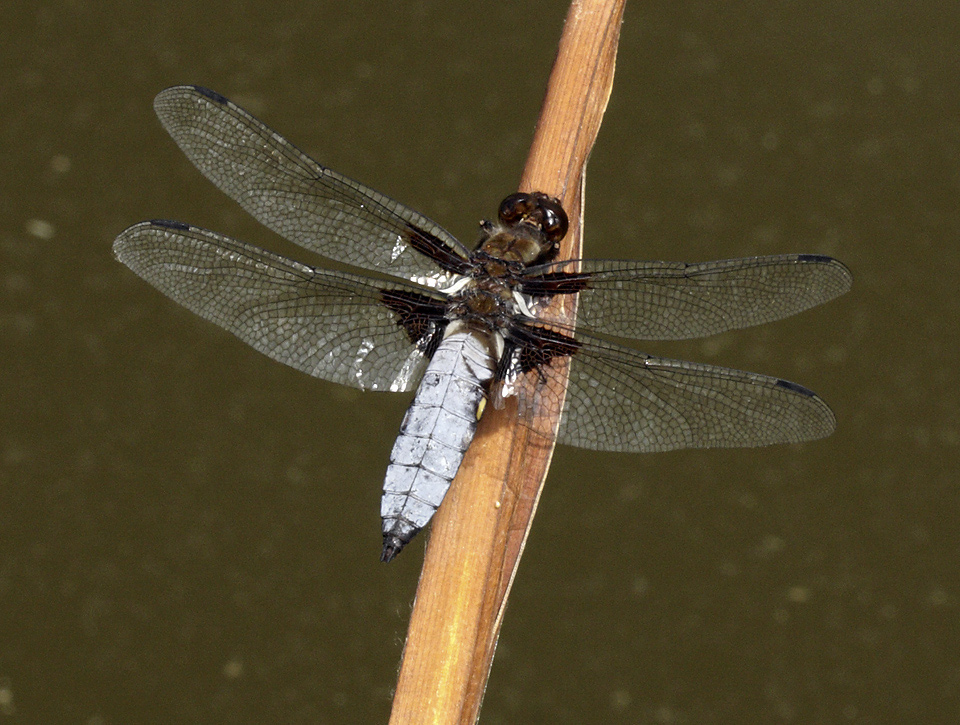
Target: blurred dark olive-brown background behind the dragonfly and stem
189,532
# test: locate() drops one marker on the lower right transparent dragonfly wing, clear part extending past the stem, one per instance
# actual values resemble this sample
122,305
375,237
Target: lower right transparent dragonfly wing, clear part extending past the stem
620,399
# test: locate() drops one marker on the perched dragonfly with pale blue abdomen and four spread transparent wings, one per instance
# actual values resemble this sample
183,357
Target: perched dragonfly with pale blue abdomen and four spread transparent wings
462,326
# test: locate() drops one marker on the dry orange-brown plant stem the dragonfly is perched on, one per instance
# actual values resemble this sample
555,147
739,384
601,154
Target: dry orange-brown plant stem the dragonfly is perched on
478,534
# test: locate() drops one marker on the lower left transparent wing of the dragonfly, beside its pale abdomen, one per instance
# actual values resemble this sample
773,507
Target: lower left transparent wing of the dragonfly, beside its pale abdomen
331,325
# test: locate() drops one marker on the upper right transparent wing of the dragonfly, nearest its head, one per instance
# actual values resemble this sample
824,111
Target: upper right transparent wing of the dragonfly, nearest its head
675,301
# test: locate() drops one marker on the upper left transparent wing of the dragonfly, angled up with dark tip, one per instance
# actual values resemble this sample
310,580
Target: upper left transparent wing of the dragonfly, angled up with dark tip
298,198
